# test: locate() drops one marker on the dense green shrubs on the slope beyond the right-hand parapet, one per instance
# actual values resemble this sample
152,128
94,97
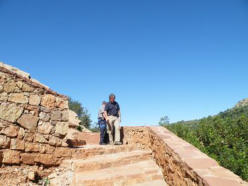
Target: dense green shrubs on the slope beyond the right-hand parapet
223,137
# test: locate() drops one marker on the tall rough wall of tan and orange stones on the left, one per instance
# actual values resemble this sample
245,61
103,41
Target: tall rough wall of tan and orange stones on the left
34,120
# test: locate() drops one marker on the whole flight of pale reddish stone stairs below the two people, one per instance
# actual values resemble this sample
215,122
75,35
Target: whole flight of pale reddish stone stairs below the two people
110,166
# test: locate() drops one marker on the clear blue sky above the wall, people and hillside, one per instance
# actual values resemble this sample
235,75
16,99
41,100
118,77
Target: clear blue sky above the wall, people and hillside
184,59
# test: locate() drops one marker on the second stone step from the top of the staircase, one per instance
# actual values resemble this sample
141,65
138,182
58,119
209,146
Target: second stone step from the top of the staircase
110,160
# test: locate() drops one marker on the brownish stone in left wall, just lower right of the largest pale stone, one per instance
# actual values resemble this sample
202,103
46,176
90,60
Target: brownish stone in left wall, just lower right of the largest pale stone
28,121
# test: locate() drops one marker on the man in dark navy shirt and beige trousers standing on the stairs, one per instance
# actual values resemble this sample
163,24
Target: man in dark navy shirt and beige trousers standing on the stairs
112,115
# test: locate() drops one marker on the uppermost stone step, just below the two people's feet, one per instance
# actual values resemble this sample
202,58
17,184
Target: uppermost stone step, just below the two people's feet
93,150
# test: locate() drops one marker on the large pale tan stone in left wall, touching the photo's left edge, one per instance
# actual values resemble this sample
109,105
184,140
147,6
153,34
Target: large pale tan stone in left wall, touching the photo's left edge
10,112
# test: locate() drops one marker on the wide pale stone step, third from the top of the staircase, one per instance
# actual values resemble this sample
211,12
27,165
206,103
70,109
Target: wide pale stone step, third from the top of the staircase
131,174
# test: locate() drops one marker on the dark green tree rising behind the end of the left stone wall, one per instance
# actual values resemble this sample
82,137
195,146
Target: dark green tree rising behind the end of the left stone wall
81,111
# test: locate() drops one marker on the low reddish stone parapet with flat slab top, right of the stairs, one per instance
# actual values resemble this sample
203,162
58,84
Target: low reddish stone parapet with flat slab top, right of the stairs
181,163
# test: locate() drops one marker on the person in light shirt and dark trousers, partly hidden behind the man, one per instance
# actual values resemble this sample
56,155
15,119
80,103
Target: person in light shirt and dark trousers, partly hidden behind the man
102,123
